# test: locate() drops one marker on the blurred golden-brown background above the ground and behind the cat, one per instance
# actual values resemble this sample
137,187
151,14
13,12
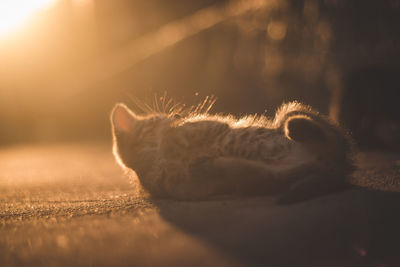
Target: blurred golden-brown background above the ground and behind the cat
64,63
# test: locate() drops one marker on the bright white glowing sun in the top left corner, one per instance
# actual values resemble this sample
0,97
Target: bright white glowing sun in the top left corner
14,13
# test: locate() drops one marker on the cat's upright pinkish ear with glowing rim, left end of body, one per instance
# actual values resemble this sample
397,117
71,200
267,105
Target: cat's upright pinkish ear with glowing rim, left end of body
122,118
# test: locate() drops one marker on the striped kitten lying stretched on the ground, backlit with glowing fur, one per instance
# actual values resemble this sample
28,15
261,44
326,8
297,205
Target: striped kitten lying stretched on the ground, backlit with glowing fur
299,154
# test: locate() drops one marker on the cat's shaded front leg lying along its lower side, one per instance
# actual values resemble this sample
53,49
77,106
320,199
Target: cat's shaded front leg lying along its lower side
229,175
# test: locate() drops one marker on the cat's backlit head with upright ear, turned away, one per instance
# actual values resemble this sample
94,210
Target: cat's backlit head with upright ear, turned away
136,138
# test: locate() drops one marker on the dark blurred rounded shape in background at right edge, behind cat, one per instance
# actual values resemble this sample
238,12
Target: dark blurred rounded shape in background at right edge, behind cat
370,107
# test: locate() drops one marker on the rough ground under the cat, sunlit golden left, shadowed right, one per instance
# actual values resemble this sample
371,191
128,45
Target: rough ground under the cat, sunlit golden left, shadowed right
71,205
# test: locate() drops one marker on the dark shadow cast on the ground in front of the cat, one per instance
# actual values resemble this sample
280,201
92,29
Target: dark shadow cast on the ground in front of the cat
354,228
